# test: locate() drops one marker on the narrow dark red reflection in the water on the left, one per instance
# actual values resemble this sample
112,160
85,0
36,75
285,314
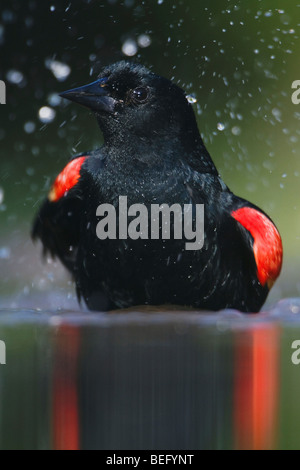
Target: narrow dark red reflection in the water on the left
65,417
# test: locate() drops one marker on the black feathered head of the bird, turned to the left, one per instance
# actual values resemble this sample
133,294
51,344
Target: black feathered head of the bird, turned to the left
131,102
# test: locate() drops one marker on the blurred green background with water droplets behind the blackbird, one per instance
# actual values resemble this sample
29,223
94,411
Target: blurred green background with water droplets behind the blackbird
238,59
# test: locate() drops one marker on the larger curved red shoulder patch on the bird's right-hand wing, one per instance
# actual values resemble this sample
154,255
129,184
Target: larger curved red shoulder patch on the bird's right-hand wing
267,246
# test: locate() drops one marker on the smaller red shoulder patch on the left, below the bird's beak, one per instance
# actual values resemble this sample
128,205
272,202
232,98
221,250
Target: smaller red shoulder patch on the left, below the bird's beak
66,180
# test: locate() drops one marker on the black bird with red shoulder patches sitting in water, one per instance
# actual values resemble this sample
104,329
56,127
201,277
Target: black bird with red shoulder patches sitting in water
153,154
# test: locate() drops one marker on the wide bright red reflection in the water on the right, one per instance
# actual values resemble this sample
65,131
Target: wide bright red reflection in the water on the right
256,387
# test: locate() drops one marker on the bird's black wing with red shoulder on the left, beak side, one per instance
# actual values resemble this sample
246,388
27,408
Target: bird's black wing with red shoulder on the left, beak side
57,223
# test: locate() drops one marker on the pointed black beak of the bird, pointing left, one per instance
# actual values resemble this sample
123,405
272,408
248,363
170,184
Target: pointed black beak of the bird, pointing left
94,96
